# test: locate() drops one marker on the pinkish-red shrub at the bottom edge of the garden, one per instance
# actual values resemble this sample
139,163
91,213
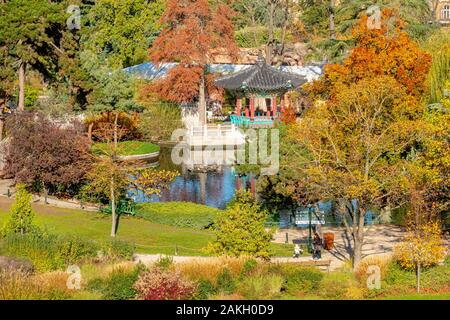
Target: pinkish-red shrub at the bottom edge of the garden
157,284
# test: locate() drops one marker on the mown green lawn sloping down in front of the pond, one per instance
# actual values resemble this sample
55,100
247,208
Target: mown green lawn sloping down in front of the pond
149,237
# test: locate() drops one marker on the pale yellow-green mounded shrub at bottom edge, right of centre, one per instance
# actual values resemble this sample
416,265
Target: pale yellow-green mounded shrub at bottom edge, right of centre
261,286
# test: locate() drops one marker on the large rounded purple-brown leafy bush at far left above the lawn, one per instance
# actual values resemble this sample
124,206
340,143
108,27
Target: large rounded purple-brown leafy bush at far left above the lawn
45,153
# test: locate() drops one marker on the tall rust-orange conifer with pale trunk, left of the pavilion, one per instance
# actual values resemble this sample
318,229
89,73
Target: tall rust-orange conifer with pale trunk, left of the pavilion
192,30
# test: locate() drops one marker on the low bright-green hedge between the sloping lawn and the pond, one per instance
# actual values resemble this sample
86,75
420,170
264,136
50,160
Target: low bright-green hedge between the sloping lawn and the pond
179,214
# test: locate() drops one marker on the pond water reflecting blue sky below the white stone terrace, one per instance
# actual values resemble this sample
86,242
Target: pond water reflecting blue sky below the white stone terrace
213,188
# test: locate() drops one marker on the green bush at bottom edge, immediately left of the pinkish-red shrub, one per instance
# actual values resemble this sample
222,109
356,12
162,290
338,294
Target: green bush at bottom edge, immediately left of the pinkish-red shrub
119,285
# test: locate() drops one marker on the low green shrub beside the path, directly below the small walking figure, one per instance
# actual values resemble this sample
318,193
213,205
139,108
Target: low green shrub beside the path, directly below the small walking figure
298,278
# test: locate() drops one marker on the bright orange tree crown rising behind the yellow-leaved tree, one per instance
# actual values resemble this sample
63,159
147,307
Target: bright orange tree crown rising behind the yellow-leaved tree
385,51
